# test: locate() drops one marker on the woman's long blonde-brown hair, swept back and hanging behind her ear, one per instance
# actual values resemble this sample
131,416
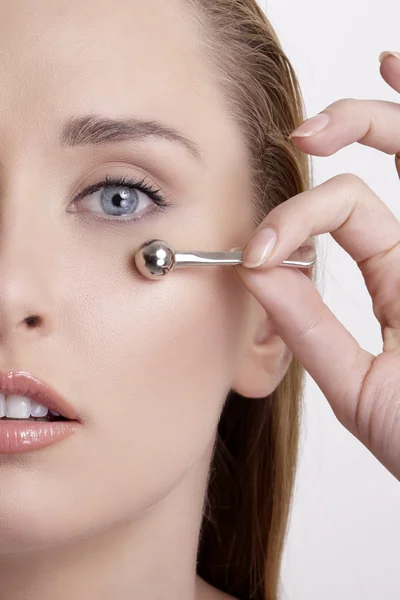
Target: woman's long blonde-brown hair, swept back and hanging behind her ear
254,464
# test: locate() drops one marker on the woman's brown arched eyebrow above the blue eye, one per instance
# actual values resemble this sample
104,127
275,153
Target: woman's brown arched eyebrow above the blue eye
93,129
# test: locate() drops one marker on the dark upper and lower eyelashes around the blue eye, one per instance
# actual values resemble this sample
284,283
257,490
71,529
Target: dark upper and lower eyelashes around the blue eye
129,182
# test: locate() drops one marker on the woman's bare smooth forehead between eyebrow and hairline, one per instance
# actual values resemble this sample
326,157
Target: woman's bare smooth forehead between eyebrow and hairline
122,57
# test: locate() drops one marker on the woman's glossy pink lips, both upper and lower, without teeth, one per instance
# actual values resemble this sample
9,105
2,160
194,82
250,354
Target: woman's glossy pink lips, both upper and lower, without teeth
19,435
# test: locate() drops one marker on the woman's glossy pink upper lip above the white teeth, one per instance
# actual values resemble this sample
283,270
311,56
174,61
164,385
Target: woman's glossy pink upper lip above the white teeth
26,384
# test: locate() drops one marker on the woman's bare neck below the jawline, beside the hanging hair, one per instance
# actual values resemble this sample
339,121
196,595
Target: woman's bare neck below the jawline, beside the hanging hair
151,557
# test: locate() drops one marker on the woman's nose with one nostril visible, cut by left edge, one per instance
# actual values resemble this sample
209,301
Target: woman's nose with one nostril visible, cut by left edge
26,301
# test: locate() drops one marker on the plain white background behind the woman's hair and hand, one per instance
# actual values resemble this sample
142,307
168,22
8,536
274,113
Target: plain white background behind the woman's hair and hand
344,536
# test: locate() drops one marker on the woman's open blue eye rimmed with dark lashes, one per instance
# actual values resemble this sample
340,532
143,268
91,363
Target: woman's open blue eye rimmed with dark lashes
120,197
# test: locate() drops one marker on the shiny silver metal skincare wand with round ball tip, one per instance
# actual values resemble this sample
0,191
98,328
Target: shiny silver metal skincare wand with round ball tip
156,258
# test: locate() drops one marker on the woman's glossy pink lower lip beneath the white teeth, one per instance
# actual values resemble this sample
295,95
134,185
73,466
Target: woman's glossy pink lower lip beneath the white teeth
17,437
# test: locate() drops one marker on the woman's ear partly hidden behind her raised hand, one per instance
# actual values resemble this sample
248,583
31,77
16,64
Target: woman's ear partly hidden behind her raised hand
266,357
